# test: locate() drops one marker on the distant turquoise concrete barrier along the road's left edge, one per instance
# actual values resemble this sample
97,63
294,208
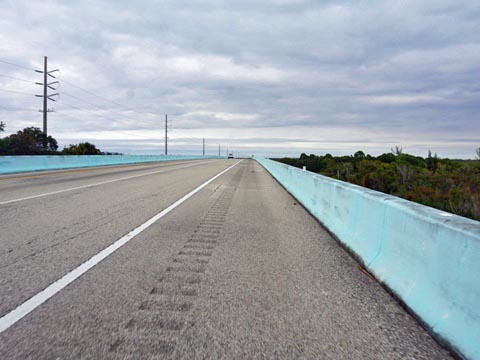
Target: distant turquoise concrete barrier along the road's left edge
17,164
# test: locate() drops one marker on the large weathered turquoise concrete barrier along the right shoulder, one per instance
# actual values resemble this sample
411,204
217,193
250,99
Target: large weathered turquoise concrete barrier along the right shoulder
429,258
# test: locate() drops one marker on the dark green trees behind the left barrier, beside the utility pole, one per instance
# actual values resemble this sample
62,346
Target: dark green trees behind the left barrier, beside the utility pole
32,141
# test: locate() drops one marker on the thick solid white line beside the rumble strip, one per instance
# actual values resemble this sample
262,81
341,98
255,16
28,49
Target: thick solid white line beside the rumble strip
31,304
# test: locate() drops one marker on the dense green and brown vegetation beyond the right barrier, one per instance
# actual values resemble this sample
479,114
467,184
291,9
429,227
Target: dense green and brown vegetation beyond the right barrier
445,184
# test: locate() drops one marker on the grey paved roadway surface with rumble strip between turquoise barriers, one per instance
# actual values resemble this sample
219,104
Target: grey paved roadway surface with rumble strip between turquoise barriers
238,270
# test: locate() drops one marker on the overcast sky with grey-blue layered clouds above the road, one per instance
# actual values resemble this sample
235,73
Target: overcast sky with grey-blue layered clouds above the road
270,78
